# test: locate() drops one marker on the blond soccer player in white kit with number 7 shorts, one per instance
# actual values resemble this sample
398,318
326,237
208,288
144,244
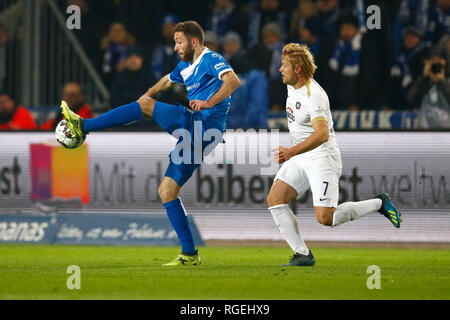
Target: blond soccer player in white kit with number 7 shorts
313,161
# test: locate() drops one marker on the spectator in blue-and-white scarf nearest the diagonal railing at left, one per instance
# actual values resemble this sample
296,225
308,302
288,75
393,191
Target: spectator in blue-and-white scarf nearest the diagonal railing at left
116,45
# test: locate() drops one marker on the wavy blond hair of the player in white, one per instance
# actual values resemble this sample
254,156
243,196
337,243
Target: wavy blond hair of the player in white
300,56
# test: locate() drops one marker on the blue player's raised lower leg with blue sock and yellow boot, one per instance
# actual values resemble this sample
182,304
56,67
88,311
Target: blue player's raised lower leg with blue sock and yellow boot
120,116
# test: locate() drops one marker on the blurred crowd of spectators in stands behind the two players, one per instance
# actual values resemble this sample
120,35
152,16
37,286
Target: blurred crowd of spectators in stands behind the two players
401,64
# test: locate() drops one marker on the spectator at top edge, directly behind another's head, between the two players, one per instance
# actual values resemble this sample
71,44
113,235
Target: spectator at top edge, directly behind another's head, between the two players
268,11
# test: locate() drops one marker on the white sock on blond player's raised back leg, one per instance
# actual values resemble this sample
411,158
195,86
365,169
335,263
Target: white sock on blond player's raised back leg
350,211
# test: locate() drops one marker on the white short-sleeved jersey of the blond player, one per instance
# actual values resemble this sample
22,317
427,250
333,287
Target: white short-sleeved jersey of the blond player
301,109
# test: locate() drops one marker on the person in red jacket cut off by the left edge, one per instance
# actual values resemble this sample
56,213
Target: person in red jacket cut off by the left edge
13,116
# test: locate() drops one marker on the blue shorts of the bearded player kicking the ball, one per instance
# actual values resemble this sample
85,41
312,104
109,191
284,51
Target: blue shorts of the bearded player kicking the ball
171,118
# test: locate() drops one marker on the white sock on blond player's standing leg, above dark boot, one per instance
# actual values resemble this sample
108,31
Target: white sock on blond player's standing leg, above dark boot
288,226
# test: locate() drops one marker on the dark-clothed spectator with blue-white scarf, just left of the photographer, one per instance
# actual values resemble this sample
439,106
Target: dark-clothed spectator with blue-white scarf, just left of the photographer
408,66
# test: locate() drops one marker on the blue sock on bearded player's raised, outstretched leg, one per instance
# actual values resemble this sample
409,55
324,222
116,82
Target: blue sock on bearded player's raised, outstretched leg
120,116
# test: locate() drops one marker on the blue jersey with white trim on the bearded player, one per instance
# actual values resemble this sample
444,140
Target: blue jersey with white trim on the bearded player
202,80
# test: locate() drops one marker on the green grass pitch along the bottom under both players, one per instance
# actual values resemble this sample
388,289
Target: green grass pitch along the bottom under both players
39,272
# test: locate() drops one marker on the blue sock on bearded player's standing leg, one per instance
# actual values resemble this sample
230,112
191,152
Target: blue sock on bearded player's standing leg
179,221
